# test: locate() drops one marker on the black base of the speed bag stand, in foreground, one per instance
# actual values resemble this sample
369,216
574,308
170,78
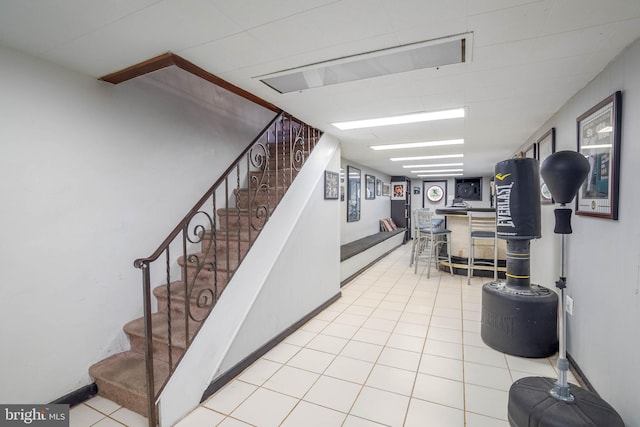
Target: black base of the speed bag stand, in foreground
531,405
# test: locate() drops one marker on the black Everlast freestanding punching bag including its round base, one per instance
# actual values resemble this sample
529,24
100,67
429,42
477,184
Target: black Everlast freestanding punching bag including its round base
518,318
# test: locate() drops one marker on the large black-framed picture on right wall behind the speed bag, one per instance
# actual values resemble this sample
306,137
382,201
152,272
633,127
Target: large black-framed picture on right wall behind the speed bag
599,141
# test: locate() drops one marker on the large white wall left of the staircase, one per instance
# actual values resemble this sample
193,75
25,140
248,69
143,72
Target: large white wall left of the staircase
92,176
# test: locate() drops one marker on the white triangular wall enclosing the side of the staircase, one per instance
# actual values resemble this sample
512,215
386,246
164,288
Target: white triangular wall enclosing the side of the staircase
292,269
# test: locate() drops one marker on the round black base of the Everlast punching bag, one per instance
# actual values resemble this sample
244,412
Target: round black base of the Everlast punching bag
520,322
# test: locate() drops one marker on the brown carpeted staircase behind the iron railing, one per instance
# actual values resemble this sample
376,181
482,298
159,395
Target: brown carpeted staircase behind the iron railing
205,272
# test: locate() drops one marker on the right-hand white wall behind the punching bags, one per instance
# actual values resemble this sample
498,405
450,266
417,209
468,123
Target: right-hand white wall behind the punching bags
603,258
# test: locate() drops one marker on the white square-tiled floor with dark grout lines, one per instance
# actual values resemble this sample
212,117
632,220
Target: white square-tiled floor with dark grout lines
397,349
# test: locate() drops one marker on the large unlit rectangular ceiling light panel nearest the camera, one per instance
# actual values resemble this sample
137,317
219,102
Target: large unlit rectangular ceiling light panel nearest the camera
415,56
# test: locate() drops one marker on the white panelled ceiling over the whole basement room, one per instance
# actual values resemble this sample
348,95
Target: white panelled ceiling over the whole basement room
526,60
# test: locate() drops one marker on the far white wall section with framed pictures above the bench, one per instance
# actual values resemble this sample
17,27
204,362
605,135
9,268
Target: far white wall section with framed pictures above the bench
371,211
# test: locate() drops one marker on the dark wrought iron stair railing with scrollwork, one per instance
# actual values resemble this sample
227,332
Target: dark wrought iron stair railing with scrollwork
211,242
